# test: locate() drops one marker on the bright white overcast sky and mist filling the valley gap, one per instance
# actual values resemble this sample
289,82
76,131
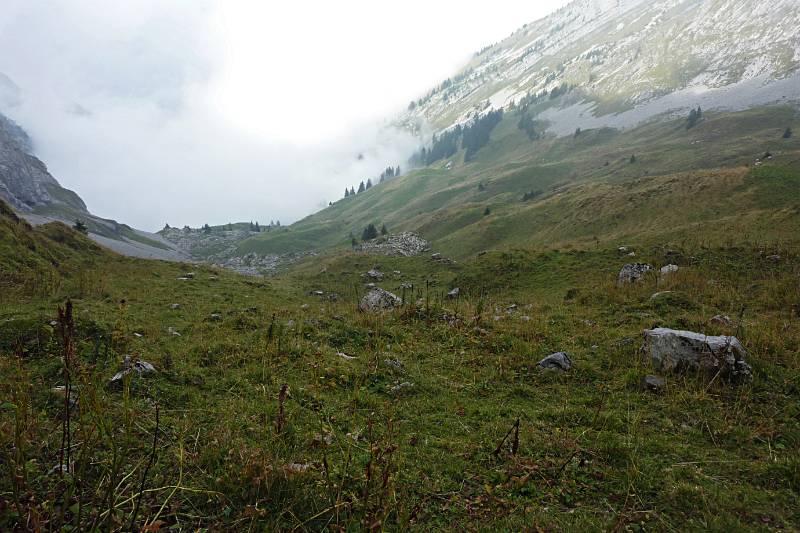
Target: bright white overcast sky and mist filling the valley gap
200,111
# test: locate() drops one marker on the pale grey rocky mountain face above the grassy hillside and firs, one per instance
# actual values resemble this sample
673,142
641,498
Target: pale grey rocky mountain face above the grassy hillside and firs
630,55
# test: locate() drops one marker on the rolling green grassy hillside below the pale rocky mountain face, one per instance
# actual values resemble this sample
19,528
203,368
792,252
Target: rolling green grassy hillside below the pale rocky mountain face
585,187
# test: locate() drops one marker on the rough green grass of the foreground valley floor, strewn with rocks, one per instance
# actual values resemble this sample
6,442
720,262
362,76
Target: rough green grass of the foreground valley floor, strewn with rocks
273,408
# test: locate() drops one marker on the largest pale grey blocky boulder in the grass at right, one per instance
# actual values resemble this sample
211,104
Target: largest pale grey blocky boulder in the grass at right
677,350
